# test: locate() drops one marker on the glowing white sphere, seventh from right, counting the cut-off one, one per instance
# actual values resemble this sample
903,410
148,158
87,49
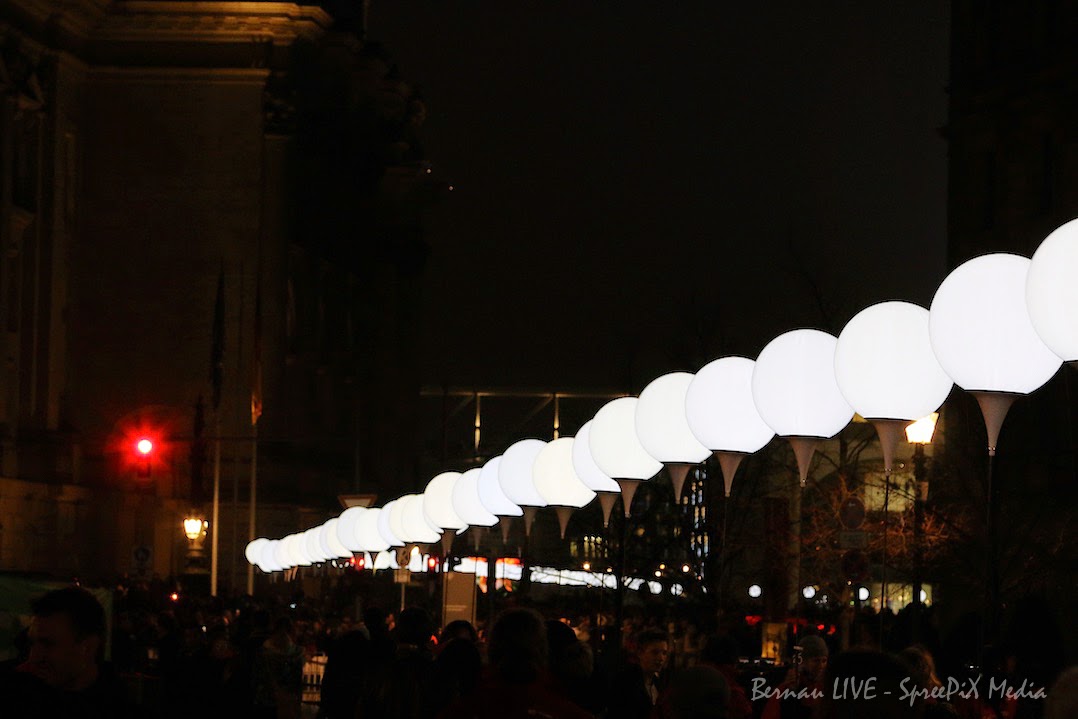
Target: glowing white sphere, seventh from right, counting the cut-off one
615,446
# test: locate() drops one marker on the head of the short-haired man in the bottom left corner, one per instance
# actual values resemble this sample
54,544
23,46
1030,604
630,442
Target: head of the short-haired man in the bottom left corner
67,634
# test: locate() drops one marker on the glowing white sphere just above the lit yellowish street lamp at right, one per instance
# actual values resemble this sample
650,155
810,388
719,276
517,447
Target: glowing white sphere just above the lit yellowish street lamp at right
886,365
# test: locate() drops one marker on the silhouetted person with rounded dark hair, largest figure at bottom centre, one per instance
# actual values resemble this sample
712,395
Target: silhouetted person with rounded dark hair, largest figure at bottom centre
519,685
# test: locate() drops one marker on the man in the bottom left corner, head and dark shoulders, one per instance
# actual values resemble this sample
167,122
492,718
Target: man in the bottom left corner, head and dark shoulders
65,675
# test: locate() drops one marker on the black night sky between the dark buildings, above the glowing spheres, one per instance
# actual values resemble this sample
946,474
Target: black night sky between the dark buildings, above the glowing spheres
646,187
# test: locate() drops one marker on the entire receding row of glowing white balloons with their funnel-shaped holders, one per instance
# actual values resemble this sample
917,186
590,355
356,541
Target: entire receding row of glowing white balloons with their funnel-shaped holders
1000,325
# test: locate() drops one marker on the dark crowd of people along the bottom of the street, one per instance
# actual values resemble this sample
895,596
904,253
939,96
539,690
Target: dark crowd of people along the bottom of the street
250,661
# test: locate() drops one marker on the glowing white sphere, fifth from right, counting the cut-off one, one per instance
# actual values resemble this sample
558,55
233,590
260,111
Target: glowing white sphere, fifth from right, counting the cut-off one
721,411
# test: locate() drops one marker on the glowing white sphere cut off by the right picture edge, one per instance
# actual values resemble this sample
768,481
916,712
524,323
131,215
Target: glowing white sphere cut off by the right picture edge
1052,293
